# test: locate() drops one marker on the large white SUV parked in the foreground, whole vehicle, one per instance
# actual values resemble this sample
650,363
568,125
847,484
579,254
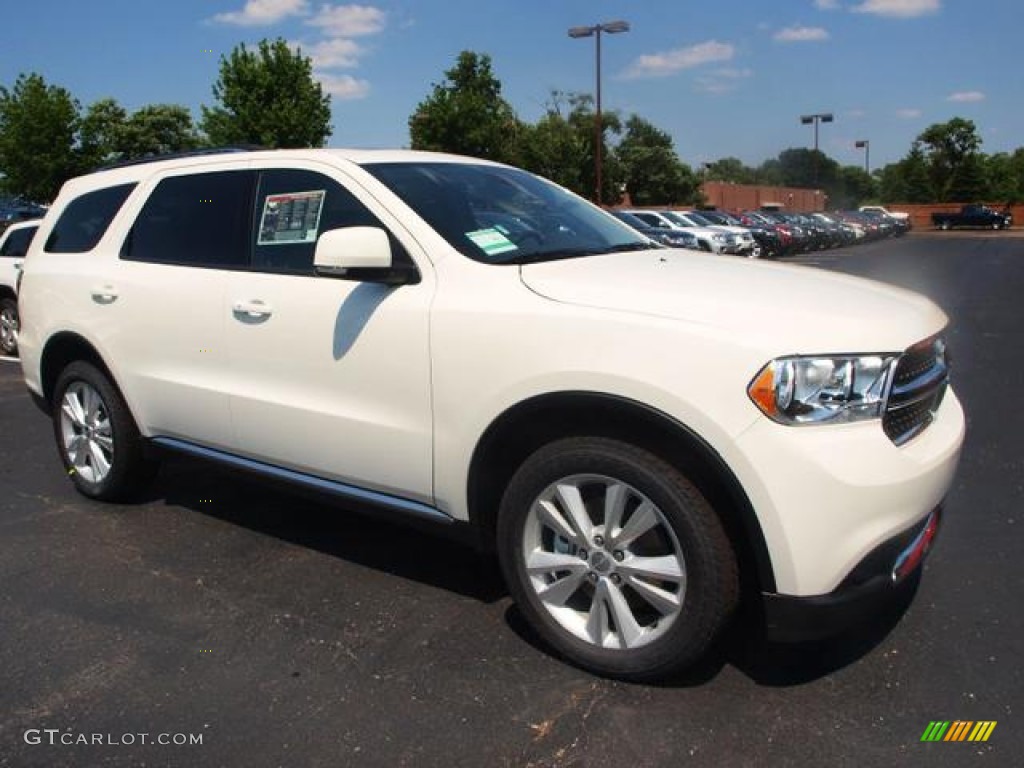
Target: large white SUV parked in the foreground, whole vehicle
646,437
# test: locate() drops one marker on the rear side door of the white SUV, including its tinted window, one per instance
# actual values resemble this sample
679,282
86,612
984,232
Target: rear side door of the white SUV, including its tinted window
164,303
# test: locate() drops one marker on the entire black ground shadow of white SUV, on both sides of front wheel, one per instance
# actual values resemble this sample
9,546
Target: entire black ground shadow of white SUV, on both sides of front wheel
360,535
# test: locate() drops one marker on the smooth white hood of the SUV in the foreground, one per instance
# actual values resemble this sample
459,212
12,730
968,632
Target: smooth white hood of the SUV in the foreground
786,309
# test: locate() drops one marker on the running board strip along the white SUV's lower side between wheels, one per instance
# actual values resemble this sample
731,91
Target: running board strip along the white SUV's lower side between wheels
331,488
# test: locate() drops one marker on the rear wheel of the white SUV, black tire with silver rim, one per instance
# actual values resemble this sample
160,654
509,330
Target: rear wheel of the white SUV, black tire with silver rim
98,440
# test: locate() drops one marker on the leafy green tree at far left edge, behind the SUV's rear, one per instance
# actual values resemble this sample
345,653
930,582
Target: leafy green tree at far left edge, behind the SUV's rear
38,124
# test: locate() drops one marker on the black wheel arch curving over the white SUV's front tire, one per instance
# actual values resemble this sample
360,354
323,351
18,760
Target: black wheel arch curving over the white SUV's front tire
531,424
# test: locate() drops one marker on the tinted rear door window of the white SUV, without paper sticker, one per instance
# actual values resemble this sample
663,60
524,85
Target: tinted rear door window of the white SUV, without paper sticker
201,220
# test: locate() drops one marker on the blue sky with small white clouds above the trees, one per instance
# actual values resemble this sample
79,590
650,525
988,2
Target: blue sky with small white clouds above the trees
723,78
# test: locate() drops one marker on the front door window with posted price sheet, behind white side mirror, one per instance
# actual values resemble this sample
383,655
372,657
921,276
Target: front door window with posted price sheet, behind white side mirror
293,207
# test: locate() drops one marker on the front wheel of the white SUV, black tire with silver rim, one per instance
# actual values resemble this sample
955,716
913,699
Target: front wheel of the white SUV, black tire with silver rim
704,601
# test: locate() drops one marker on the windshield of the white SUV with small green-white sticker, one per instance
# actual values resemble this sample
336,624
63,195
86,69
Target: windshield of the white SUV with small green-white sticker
502,216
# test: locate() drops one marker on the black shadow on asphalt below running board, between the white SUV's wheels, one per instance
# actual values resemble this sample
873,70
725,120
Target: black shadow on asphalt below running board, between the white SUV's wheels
354,533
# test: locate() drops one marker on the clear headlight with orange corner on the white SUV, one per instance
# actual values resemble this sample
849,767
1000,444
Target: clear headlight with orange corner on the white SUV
813,391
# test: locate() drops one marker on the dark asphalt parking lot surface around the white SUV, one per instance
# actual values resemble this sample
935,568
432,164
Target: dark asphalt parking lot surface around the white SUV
287,633
